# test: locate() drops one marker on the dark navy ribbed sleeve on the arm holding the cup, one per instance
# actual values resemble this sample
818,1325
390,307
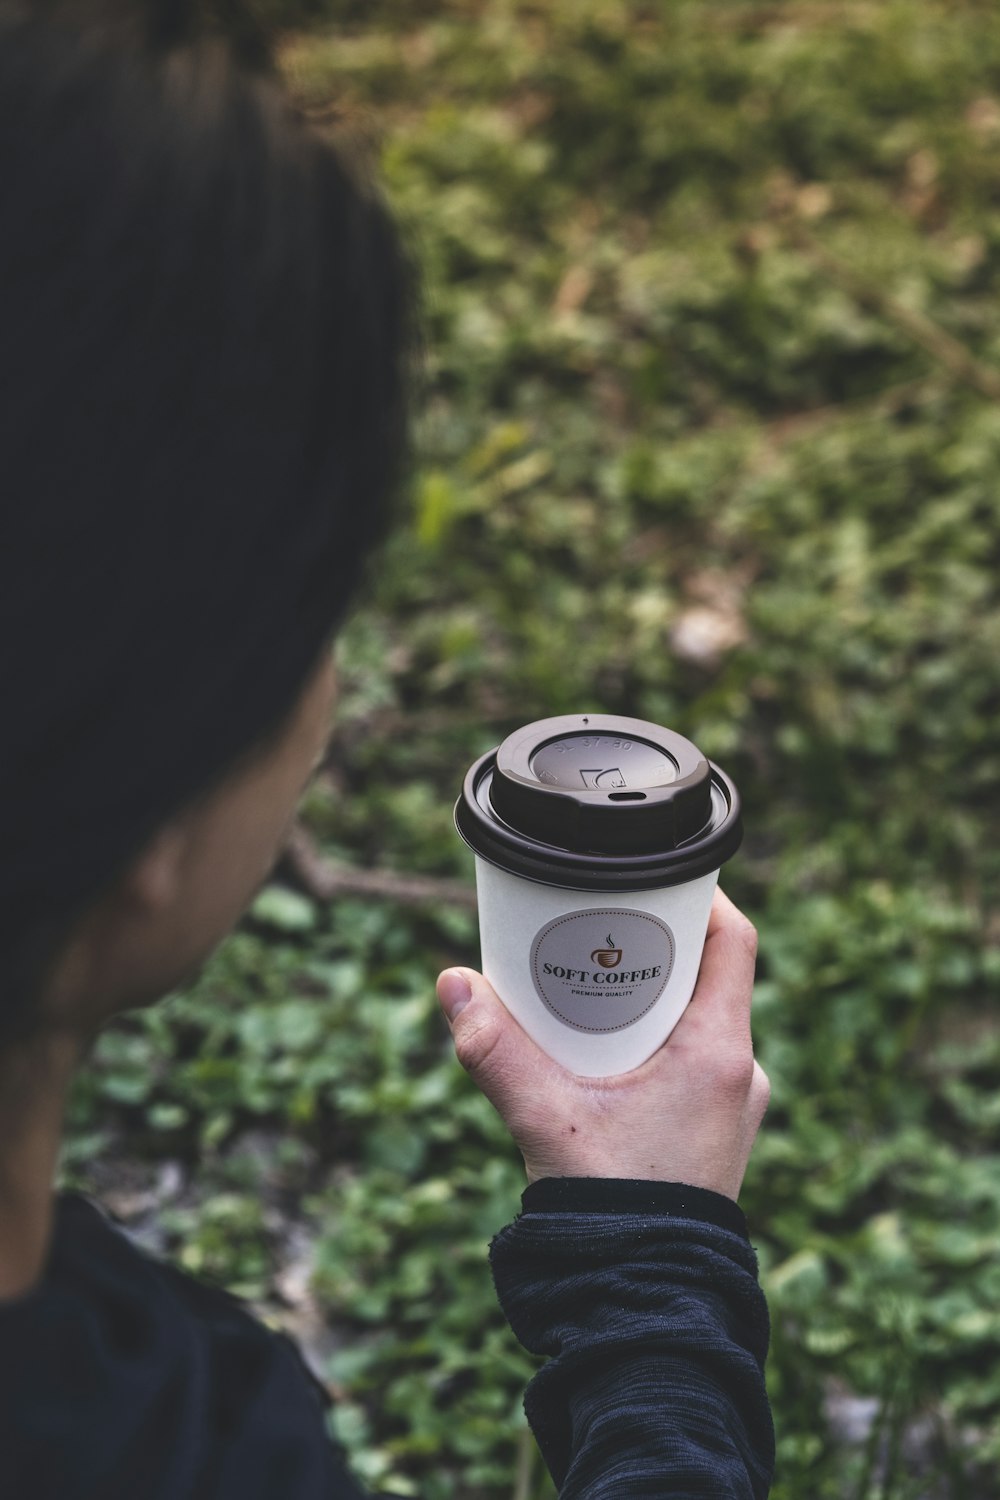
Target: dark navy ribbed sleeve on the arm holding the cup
647,1298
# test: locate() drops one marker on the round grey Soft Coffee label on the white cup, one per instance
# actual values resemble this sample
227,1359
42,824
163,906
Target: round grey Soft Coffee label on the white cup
599,971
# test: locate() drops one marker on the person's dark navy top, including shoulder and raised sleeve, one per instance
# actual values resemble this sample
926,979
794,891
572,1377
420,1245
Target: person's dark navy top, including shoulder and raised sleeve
122,1379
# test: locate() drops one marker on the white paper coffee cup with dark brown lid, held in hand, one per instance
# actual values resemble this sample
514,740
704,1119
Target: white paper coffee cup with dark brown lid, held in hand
597,844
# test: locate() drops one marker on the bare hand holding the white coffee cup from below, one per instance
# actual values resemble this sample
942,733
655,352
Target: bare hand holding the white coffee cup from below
690,1114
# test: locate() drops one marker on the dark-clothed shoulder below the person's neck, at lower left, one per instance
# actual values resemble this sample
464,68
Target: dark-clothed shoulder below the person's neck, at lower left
121,1376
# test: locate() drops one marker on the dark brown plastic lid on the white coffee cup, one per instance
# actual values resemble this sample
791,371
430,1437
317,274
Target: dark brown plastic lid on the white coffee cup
597,802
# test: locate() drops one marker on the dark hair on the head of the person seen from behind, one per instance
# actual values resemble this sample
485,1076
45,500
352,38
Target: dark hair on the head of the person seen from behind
205,317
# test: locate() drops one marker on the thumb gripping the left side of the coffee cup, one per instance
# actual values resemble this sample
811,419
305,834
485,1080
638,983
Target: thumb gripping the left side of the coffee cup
491,1046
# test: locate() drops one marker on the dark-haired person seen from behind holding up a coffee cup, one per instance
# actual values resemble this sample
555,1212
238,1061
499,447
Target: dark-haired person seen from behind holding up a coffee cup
208,331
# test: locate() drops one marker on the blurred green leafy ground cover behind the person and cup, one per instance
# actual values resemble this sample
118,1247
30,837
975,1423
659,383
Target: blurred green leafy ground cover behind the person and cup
711,436
